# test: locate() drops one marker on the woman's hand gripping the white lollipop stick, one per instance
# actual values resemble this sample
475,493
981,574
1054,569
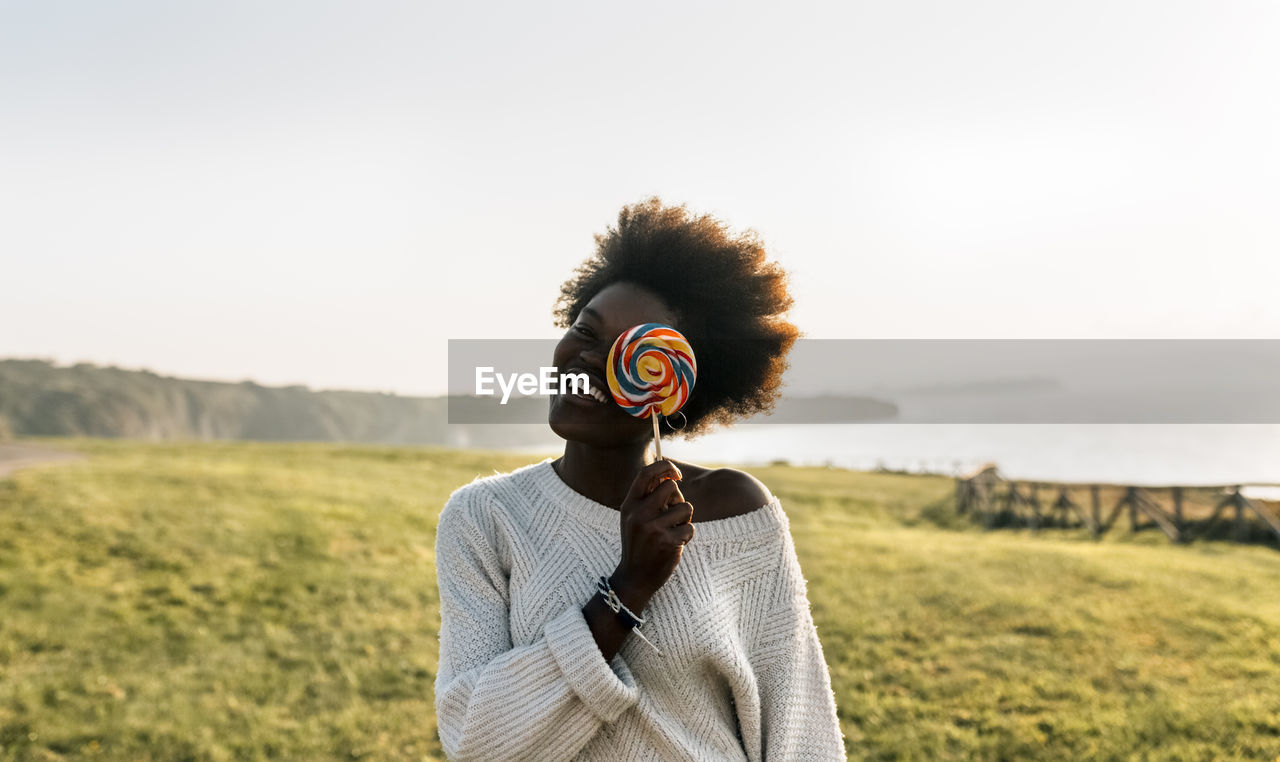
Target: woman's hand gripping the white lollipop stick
656,526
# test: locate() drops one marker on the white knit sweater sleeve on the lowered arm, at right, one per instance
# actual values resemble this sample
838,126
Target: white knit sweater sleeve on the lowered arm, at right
798,708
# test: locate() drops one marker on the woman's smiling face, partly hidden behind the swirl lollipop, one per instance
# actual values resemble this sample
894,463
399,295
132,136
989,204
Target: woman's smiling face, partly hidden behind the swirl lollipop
586,349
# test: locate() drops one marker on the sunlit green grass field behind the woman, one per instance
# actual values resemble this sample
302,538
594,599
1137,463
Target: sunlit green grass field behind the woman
249,601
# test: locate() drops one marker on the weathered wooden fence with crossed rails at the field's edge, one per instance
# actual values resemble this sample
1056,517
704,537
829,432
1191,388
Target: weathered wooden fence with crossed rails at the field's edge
1183,513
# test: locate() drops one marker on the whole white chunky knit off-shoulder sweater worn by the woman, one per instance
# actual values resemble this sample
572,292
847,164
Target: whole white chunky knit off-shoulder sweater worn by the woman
522,678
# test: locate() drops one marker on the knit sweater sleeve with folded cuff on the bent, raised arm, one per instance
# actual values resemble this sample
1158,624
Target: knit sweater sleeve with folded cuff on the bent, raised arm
493,700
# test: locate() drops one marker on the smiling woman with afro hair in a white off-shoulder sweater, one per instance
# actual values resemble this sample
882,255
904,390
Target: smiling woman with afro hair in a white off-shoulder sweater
545,573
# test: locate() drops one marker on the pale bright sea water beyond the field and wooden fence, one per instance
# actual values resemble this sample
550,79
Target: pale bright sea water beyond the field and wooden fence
1127,454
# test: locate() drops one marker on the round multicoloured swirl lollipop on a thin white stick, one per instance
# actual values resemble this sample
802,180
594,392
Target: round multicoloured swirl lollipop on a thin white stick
651,372
